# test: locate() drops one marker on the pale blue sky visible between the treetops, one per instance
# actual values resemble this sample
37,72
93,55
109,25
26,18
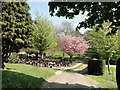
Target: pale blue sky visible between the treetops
43,9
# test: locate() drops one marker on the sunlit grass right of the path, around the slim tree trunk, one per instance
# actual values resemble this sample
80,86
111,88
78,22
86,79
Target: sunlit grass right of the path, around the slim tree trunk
107,80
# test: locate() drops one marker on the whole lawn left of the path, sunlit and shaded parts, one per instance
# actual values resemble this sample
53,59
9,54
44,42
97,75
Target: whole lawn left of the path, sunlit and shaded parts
25,76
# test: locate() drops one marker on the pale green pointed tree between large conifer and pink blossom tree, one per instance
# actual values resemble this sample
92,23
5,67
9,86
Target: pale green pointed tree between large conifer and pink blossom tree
42,35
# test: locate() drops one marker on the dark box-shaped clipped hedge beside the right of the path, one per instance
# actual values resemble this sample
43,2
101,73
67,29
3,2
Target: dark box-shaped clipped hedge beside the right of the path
96,67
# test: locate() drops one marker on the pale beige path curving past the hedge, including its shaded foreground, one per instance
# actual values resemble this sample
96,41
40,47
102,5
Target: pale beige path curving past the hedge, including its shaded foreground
72,79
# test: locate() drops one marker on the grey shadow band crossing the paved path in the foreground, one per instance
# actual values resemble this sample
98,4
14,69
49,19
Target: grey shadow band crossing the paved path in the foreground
61,86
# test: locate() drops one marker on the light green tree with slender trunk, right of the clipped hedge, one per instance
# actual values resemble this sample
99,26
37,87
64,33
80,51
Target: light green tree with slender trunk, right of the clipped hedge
102,45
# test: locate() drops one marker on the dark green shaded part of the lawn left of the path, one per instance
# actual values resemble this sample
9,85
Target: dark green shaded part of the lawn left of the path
12,79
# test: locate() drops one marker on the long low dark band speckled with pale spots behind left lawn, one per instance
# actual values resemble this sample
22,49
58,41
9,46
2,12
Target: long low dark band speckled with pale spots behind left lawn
48,63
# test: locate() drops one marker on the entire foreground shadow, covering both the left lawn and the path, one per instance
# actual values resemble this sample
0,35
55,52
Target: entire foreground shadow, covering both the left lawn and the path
12,79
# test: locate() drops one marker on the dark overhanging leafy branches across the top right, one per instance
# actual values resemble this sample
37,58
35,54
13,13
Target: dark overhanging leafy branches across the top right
97,12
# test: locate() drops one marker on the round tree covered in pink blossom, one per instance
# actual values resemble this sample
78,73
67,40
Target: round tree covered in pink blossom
72,45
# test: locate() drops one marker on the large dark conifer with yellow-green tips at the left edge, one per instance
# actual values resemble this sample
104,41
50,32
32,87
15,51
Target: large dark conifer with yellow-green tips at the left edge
16,27
